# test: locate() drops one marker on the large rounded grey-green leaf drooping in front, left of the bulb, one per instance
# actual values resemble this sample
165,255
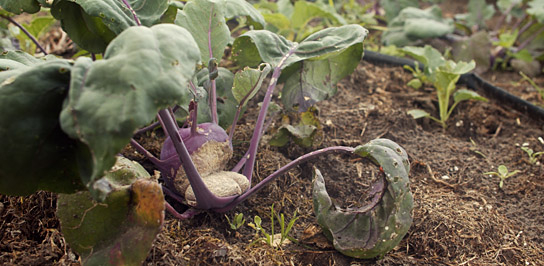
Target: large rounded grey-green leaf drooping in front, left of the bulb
143,70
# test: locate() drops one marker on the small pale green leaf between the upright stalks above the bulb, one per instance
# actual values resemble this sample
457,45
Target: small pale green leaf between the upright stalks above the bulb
247,83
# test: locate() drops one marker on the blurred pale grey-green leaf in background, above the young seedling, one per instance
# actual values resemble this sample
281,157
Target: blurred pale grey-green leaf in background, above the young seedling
413,24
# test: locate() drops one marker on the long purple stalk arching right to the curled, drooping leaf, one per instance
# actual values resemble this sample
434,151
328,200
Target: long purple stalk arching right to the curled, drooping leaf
283,170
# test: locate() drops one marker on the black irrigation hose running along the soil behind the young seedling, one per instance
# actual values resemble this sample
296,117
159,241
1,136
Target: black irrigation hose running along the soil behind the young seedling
471,80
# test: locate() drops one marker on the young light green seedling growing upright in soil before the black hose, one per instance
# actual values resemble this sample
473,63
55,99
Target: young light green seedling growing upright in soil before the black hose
443,75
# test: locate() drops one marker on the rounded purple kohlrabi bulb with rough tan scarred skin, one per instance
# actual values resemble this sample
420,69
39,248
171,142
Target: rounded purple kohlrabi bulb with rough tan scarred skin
209,148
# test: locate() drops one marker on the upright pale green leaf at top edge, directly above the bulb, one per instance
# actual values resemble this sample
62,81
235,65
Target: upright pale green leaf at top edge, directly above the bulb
205,19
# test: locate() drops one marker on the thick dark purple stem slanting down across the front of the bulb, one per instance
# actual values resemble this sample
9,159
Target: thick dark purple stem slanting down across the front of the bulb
204,197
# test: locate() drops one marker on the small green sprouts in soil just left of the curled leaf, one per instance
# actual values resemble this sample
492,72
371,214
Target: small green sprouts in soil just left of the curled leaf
284,229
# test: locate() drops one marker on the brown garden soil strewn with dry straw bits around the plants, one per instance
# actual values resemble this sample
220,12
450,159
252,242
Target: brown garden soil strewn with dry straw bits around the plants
461,216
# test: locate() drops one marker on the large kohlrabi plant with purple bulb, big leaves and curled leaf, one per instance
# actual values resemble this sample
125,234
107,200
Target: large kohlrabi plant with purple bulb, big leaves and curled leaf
64,122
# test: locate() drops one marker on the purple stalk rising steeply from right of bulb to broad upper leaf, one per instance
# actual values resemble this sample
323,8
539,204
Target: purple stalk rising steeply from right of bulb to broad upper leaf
257,133
